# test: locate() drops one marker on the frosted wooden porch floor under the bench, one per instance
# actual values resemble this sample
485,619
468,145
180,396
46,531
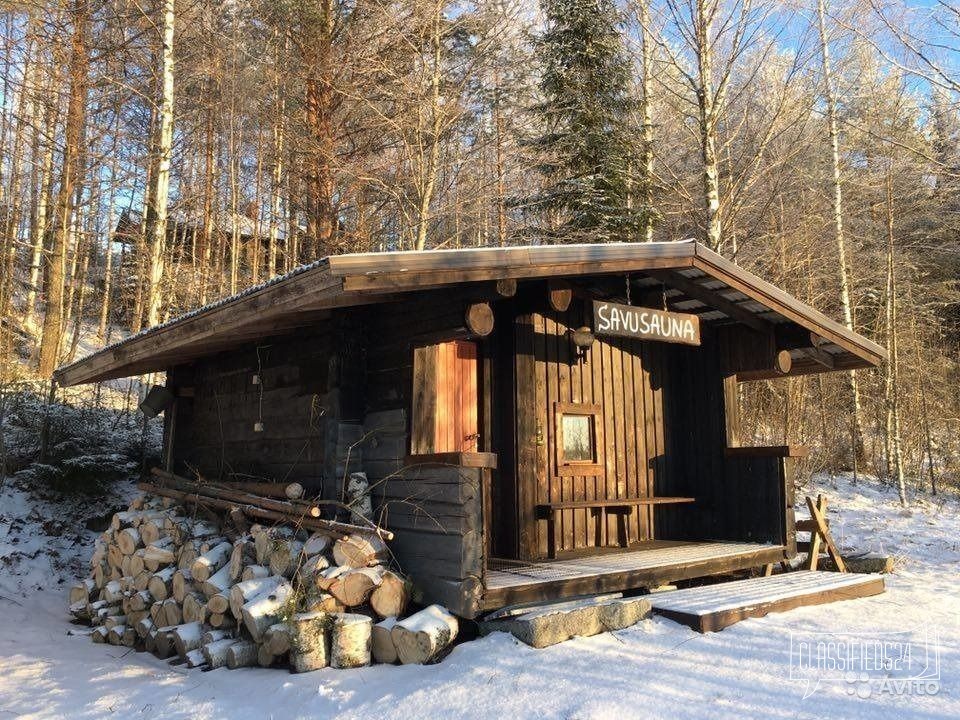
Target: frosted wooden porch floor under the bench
509,581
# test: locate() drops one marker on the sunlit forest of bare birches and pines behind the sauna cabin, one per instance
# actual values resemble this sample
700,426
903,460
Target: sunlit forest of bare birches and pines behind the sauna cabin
157,156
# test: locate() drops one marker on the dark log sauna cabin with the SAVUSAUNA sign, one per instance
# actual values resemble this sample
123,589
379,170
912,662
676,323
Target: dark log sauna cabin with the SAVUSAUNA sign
535,422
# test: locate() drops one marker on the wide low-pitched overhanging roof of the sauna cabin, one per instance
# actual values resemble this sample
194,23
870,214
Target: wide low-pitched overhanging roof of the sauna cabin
697,279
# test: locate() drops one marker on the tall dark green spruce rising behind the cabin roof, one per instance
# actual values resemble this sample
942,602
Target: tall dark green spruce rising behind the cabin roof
585,149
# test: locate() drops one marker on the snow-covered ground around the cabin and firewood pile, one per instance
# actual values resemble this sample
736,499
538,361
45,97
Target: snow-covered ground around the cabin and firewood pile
655,669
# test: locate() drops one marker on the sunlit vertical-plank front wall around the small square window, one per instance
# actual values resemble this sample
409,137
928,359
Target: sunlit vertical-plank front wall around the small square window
626,378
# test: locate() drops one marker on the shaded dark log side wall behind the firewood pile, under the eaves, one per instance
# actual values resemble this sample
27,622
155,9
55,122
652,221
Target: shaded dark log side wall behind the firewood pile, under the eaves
310,384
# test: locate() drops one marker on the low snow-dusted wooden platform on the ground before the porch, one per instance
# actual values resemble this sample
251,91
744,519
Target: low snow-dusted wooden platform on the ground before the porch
714,607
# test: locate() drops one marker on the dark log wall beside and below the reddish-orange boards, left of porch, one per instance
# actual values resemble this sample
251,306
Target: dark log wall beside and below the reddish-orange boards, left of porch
435,512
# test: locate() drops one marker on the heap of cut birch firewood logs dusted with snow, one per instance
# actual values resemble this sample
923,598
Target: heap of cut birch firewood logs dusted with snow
185,573
